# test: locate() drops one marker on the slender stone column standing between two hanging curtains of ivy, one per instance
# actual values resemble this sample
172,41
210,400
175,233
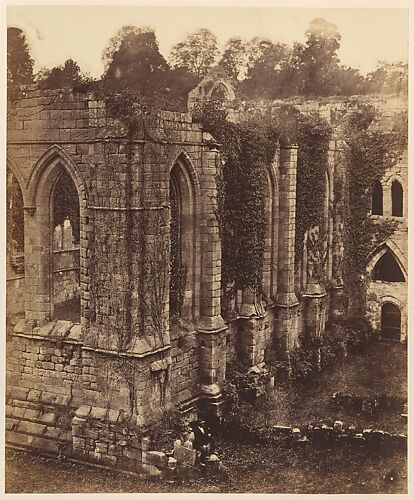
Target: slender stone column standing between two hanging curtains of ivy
287,327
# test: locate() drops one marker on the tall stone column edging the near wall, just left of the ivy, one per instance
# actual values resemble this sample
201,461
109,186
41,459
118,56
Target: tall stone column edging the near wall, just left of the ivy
211,328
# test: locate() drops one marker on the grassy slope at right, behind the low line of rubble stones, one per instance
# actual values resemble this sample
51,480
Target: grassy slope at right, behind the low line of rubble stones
382,370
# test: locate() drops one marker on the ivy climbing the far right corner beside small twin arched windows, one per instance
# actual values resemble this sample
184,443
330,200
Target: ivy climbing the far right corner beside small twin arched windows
370,151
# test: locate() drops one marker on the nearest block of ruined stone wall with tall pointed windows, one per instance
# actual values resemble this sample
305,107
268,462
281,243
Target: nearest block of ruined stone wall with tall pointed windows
123,354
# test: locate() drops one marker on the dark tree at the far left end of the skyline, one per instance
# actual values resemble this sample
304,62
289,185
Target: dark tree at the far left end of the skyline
19,62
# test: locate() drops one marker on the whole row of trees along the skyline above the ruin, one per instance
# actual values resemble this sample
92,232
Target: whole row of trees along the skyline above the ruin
259,68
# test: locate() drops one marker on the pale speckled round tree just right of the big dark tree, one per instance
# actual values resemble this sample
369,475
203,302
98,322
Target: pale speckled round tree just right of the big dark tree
197,52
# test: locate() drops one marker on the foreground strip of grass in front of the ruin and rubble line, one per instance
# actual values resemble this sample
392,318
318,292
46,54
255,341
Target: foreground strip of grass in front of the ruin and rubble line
252,469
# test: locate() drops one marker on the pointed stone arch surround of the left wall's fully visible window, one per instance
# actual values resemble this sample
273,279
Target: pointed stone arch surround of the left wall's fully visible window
42,259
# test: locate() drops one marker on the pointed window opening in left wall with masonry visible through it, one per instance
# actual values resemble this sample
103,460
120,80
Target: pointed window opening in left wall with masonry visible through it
65,236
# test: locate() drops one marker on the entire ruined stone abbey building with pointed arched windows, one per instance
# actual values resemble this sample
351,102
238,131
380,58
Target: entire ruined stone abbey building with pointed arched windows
91,224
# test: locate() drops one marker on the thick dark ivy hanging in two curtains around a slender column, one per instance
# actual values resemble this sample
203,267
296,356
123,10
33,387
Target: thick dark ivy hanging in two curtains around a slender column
248,148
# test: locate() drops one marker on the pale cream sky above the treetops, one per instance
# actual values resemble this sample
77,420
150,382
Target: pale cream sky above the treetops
57,33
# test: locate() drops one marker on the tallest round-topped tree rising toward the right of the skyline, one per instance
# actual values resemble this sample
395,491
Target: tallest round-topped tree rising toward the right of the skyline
319,58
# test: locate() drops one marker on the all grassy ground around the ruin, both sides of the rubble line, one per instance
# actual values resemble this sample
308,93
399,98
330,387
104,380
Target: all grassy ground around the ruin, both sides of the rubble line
264,468
